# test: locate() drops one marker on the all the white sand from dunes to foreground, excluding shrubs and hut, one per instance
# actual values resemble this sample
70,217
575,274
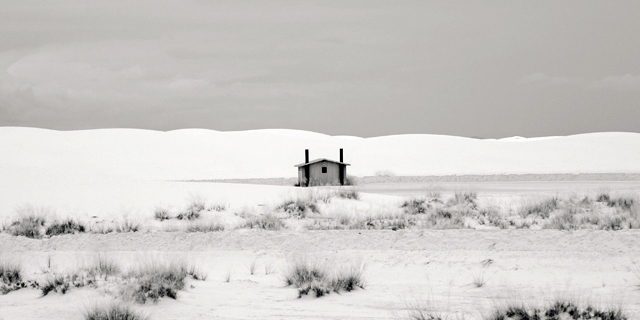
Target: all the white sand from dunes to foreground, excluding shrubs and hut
108,176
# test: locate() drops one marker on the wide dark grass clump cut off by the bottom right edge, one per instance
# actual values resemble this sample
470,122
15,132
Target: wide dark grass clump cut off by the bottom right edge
560,309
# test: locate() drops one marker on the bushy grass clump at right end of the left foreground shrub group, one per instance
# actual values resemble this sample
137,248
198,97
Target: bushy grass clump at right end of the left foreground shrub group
155,280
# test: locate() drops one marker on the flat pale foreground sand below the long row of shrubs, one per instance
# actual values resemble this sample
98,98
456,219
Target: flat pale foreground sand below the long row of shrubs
434,267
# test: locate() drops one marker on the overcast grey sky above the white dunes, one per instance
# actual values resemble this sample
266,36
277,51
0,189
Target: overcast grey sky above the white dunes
487,69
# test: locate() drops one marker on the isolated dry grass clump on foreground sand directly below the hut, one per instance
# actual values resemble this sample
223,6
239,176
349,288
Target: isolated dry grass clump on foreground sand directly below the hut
318,279
